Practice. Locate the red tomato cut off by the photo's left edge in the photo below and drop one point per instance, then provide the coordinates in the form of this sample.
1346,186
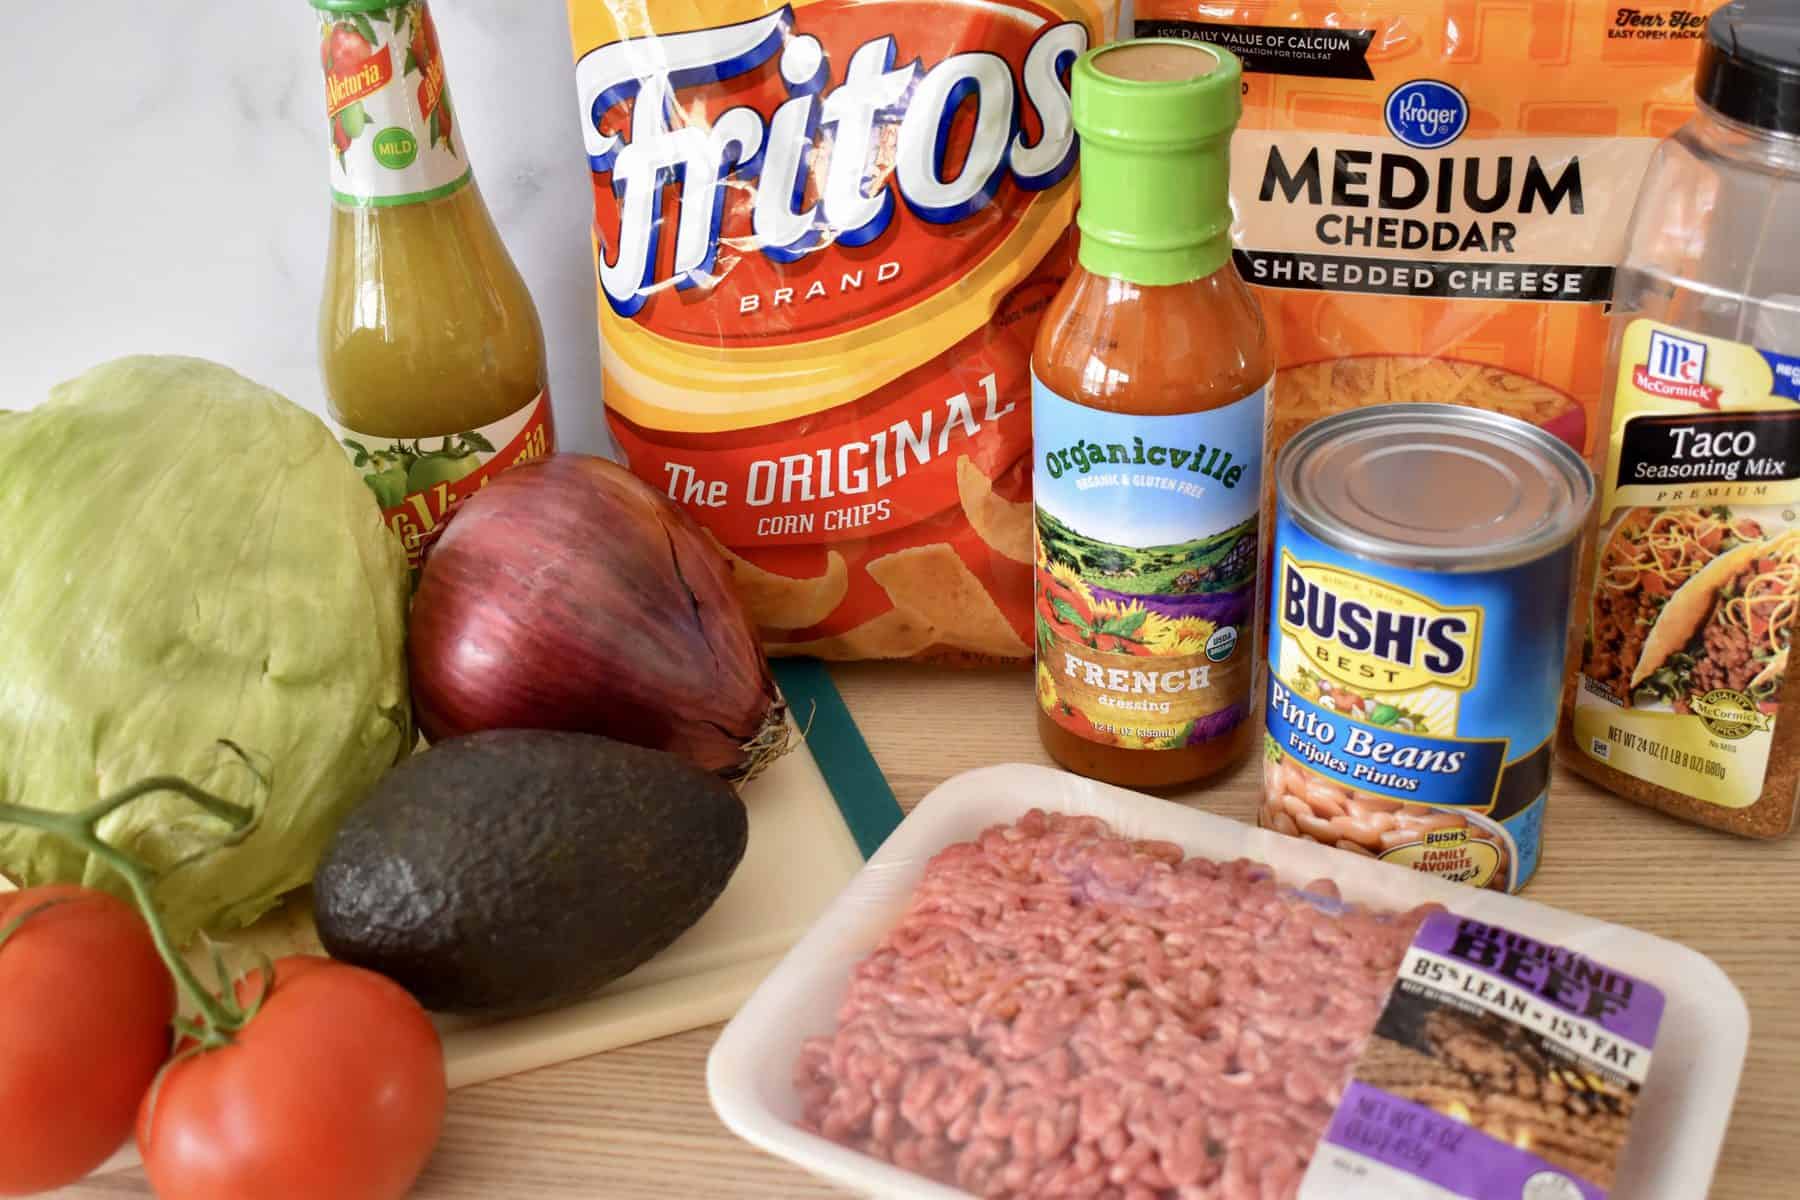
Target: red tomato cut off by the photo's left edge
85,1010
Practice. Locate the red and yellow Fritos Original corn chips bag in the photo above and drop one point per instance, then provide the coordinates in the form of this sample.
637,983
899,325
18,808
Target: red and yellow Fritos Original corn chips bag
825,235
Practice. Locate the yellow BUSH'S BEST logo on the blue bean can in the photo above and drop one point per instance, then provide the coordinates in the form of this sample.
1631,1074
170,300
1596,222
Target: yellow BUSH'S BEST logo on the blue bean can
1374,636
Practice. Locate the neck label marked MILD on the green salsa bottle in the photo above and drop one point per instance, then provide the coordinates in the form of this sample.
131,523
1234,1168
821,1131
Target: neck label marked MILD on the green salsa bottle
393,132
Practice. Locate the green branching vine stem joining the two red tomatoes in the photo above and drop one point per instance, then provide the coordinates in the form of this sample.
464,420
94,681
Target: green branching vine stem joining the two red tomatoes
220,1017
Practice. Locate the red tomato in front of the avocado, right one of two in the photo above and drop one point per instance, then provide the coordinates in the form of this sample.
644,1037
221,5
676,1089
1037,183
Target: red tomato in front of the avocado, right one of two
334,1089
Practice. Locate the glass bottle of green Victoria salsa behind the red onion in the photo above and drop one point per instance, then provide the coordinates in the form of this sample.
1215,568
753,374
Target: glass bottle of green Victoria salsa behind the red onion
429,345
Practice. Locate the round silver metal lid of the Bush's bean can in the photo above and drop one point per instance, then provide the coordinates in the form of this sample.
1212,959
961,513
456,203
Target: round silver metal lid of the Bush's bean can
1435,487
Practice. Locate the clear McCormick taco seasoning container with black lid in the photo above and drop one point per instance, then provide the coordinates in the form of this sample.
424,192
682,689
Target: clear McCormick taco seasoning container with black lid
1678,677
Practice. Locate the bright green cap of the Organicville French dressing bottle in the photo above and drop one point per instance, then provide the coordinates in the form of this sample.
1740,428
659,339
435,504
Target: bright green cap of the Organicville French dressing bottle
1156,120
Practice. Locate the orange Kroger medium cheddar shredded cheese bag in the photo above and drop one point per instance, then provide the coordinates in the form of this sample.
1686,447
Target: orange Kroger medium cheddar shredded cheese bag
1432,195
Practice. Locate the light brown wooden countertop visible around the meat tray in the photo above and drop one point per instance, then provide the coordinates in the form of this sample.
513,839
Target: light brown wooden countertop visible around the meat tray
636,1124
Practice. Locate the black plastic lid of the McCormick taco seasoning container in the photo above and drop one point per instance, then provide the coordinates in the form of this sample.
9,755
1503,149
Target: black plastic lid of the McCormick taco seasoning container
1750,66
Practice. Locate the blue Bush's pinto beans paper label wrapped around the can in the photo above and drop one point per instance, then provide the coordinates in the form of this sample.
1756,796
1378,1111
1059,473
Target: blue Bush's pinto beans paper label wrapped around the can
1410,712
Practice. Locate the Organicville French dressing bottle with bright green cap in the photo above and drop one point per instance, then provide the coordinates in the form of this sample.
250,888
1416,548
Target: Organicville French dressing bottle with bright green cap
1149,390
